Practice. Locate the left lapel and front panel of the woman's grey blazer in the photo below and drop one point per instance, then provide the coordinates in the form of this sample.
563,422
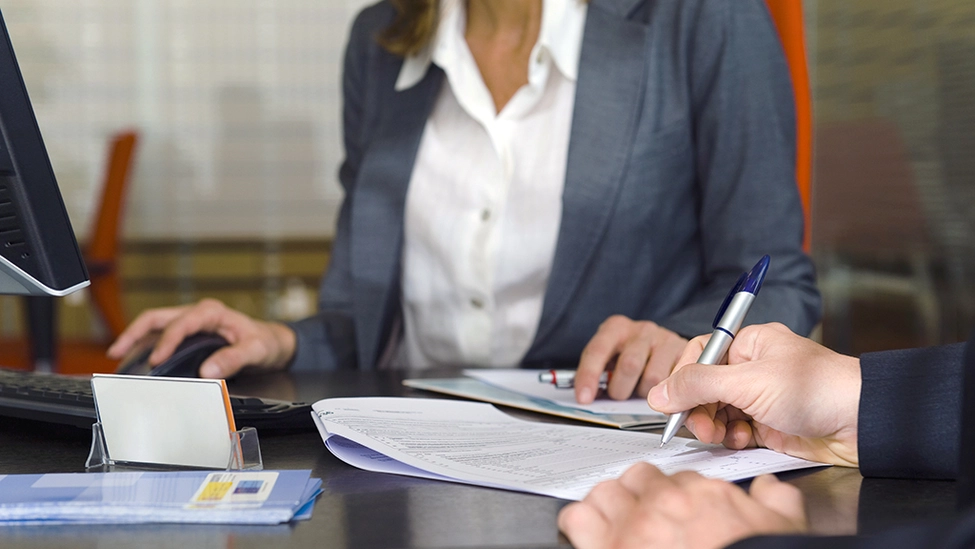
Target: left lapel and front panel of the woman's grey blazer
378,204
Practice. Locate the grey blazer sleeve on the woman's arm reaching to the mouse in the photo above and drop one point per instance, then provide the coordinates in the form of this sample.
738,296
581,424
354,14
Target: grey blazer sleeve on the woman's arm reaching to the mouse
327,339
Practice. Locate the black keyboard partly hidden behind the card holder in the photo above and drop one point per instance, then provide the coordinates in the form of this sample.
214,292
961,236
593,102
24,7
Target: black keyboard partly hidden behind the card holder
68,400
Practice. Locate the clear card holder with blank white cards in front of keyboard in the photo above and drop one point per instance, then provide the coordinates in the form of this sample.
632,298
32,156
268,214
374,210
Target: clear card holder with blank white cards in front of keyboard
167,423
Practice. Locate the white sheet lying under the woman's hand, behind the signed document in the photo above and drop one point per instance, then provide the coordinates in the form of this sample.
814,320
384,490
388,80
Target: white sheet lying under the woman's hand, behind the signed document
526,382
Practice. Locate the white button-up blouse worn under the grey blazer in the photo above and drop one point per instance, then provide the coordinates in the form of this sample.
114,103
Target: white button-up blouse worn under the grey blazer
484,202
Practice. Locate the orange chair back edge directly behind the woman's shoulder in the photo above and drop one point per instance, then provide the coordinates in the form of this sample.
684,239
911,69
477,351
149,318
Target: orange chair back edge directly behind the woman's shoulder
787,15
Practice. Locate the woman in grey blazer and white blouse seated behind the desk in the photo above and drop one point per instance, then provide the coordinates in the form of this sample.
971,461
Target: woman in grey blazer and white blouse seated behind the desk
658,166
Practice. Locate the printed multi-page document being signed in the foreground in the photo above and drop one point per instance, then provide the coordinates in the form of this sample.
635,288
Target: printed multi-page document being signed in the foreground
476,443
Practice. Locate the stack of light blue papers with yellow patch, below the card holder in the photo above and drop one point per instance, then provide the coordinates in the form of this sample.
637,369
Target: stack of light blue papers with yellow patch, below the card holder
224,497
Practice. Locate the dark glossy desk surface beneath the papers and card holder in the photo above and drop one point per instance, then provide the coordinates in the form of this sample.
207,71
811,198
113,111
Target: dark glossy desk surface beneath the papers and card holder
363,509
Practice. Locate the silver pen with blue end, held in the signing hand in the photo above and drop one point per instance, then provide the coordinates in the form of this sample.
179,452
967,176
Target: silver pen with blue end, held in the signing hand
729,319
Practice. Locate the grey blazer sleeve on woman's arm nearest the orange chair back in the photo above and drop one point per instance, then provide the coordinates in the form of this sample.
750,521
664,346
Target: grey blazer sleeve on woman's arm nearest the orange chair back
744,123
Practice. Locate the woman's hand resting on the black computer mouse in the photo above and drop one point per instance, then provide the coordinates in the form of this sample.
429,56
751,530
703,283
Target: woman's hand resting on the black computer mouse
254,343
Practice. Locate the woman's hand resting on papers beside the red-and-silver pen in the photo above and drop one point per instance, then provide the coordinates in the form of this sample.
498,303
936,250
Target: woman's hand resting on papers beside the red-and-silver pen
644,353
